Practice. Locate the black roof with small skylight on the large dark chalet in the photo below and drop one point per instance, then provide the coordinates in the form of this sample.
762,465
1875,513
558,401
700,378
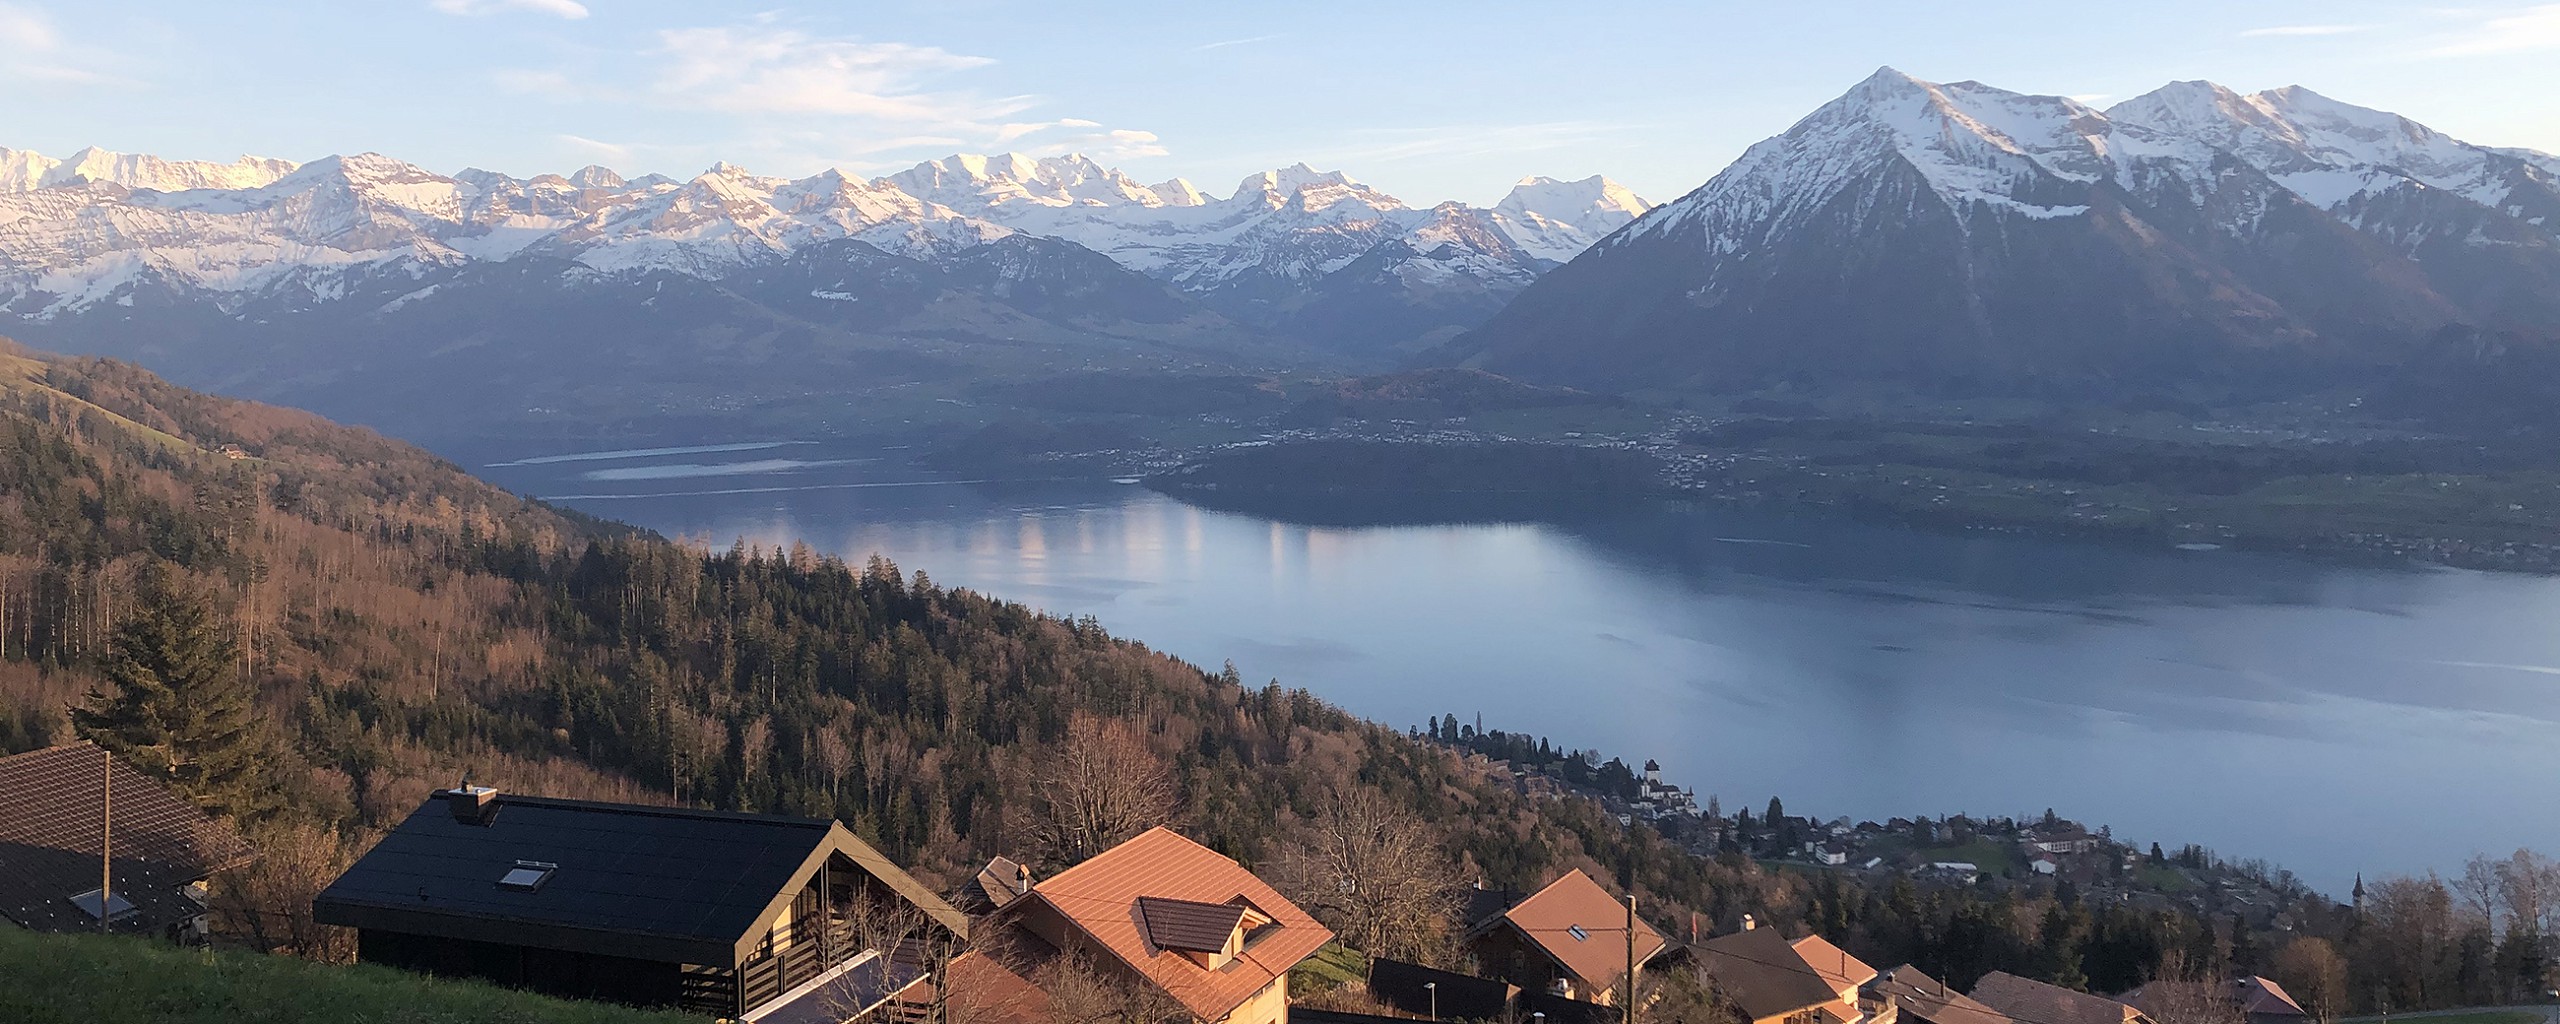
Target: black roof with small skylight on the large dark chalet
626,874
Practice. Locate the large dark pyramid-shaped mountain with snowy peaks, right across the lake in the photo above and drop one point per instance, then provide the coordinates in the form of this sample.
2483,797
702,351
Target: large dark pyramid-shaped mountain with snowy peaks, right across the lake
1972,237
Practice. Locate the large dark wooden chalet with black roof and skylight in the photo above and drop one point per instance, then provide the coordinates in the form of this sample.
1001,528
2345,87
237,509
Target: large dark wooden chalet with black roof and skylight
756,918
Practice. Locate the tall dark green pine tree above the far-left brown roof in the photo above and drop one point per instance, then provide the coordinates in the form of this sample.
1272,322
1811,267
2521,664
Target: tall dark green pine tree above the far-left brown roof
180,713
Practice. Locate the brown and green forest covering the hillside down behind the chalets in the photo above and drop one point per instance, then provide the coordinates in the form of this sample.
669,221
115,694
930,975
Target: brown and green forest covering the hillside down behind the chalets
308,628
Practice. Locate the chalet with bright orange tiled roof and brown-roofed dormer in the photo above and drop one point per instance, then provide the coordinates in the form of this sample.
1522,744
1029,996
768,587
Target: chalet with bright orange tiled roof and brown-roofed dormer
1169,915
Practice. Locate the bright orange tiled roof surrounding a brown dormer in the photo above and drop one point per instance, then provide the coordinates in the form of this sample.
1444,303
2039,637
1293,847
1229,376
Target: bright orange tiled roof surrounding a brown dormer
1102,902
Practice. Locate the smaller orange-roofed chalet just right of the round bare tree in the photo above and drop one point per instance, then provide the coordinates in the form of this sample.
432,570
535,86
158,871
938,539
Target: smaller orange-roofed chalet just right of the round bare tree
1565,941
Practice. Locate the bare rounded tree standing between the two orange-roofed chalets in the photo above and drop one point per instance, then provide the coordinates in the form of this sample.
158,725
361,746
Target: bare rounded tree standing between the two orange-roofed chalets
1373,874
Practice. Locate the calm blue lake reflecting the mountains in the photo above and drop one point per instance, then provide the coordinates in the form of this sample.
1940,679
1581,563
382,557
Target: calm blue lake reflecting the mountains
2326,718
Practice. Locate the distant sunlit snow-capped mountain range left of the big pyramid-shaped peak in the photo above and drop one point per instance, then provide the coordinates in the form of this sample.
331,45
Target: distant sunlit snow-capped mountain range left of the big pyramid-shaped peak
91,229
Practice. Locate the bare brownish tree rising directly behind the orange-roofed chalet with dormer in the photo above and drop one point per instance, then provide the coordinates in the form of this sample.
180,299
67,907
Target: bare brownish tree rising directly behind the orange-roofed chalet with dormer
1100,790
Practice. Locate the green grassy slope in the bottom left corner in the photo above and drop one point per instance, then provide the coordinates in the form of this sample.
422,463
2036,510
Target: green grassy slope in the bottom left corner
96,979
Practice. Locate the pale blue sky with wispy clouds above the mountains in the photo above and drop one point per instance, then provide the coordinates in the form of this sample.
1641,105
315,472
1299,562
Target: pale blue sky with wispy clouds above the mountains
1432,101
